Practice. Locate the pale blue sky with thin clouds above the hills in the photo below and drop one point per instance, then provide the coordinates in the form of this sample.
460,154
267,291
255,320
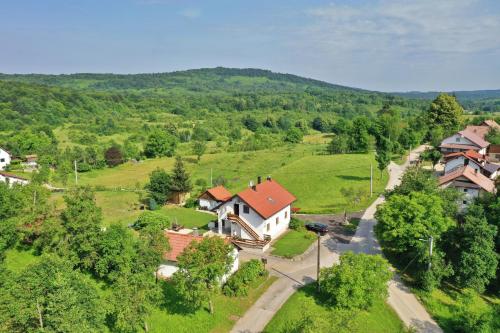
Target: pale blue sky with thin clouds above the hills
384,45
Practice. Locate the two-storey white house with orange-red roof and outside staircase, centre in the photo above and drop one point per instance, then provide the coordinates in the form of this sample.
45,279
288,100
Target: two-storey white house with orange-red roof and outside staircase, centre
256,215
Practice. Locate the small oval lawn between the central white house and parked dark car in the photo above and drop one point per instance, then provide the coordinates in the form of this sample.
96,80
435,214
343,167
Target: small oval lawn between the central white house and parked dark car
293,243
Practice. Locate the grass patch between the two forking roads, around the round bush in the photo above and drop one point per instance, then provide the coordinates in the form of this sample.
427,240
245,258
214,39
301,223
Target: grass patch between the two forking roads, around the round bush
378,319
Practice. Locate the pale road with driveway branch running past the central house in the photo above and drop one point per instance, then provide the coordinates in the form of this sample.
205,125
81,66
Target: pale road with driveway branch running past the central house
293,275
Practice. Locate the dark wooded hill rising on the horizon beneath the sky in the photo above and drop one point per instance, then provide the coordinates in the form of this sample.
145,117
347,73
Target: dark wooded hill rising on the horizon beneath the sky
220,79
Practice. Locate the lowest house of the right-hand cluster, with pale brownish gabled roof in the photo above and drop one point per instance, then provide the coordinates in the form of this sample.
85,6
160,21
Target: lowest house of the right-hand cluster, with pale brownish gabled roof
468,181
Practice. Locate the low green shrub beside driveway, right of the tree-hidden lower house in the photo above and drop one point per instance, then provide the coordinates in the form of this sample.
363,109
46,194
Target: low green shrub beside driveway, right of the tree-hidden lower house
238,283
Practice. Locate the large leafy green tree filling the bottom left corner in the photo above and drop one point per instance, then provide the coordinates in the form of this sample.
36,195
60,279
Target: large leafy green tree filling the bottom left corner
49,297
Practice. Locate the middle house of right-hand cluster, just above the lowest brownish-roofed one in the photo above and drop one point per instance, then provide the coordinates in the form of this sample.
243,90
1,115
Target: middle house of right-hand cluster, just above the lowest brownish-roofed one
473,160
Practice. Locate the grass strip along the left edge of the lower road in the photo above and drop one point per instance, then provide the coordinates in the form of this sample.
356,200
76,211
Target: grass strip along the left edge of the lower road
174,318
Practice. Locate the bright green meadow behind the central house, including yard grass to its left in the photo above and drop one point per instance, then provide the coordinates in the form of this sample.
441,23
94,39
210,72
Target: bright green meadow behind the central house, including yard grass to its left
314,178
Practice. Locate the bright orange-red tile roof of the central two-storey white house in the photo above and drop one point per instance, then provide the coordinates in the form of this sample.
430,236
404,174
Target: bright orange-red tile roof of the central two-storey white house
268,198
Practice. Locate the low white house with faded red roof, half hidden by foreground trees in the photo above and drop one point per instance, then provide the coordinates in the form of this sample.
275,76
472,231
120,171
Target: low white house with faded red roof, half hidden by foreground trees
178,241
